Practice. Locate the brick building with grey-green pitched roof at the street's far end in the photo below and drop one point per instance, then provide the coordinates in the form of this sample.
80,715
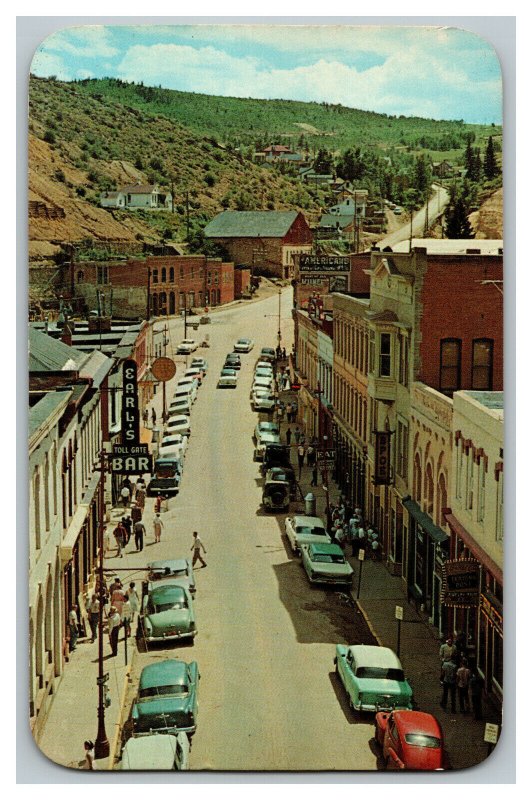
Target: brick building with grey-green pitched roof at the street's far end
266,241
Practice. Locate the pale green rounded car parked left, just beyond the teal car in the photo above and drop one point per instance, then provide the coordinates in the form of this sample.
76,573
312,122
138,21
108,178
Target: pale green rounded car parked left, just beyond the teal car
167,613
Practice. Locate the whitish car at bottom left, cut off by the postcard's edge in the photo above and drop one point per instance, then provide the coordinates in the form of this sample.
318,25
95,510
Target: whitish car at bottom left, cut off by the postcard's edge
160,751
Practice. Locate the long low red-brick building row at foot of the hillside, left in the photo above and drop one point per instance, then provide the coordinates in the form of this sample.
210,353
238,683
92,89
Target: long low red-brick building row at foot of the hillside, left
172,281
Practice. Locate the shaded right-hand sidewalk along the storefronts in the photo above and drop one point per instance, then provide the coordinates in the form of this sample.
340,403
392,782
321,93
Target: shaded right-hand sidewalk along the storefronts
380,593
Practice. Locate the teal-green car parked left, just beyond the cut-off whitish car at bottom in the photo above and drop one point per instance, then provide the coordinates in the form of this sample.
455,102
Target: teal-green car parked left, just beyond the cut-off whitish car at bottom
167,698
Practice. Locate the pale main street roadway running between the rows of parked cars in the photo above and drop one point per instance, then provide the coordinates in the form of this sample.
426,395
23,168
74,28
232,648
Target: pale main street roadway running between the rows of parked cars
268,696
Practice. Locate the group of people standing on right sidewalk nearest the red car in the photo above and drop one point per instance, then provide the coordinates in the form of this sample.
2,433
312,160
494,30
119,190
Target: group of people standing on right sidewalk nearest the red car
457,677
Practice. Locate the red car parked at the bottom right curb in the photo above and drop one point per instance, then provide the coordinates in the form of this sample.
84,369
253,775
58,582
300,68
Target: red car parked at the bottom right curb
410,740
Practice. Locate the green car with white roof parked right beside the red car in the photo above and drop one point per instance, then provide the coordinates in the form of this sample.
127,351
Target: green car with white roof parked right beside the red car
372,677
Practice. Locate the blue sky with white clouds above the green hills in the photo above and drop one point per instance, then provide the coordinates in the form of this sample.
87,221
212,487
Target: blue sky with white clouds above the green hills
440,73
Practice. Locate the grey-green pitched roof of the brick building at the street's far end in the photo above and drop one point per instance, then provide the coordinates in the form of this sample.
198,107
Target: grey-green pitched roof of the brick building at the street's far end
243,224
